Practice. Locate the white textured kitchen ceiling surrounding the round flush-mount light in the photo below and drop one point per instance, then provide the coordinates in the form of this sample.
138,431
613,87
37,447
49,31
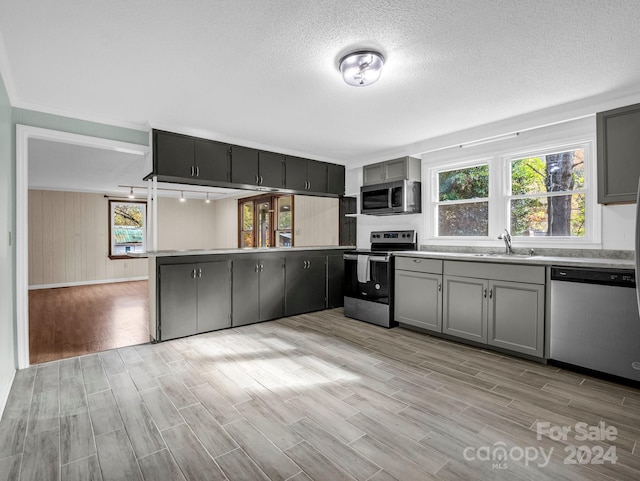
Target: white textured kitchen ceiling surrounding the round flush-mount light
264,73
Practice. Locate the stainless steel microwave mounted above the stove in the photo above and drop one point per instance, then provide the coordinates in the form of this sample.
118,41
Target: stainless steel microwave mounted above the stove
400,197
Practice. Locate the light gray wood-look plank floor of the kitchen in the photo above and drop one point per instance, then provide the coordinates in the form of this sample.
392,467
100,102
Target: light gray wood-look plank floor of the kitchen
317,397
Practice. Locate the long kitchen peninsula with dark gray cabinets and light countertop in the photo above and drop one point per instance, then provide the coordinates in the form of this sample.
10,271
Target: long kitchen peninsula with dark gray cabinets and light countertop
196,291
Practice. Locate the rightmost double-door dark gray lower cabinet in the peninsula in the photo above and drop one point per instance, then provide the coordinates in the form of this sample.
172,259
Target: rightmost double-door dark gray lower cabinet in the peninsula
306,284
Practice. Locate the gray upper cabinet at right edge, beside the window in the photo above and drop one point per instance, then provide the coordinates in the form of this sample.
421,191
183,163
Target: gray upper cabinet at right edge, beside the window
618,154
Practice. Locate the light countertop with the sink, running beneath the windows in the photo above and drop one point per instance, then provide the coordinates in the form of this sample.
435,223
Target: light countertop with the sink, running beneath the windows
524,259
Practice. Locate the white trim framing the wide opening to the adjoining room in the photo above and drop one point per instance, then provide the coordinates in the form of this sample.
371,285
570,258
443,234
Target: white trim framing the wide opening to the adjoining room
23,134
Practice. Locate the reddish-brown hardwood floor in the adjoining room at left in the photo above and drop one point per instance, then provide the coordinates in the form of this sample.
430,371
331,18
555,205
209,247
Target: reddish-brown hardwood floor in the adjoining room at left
72,321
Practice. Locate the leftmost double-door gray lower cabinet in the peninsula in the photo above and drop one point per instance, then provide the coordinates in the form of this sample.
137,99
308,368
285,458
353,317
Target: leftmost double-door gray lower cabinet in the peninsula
194,298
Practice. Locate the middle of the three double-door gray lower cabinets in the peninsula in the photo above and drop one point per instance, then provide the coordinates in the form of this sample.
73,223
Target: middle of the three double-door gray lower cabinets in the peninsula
258,290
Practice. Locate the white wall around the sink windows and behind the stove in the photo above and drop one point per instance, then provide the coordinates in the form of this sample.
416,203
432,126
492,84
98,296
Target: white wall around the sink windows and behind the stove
617,222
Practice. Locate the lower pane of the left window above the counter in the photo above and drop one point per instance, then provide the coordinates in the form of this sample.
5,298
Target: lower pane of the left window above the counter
463,219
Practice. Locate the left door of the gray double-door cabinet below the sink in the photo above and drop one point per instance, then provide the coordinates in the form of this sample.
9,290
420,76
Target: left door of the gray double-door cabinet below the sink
465,308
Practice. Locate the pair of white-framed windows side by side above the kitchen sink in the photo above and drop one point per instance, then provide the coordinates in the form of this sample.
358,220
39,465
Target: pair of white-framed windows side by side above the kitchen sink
546,194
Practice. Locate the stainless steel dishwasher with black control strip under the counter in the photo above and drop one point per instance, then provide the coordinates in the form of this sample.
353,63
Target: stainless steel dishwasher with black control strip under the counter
594,320
